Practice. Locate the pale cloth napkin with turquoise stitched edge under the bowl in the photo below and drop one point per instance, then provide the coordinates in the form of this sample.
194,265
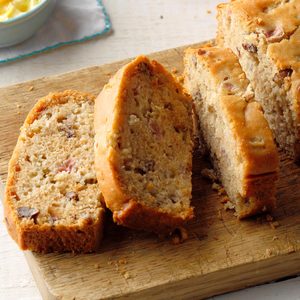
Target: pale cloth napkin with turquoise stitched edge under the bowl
72,21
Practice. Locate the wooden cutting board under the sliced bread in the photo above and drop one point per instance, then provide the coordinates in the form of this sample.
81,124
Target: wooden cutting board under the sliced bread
222,254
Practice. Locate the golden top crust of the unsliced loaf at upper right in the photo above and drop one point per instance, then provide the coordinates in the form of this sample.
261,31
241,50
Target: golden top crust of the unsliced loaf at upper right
276,22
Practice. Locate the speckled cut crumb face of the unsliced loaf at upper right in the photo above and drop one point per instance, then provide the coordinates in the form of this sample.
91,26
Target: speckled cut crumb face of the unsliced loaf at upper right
271,83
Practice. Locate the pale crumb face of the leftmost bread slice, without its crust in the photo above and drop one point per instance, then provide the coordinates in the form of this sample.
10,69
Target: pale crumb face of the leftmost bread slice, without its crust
56,164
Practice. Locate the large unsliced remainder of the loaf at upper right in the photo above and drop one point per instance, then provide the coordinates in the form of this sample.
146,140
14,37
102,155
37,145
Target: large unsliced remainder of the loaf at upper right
265,35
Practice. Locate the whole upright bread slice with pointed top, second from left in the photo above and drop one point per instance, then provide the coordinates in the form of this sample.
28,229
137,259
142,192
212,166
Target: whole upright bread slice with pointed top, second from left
143,147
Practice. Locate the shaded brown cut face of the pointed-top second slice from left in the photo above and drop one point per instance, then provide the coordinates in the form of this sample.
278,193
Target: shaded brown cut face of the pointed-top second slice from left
156,142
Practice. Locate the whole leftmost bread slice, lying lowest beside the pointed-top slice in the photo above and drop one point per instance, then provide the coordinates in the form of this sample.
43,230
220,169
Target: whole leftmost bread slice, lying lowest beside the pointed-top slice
52,200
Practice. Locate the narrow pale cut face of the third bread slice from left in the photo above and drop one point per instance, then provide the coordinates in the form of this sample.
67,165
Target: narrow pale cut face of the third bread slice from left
218,135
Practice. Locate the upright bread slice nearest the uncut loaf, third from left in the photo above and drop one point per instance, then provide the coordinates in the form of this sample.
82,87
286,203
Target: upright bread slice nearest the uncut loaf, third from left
234,128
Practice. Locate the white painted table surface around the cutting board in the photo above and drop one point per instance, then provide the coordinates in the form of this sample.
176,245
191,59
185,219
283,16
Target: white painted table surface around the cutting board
137,28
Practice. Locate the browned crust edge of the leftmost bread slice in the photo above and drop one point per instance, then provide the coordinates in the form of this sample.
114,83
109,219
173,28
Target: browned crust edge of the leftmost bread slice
45,238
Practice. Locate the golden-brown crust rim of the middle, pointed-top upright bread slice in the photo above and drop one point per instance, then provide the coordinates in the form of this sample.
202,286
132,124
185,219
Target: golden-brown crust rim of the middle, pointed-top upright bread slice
126,211
